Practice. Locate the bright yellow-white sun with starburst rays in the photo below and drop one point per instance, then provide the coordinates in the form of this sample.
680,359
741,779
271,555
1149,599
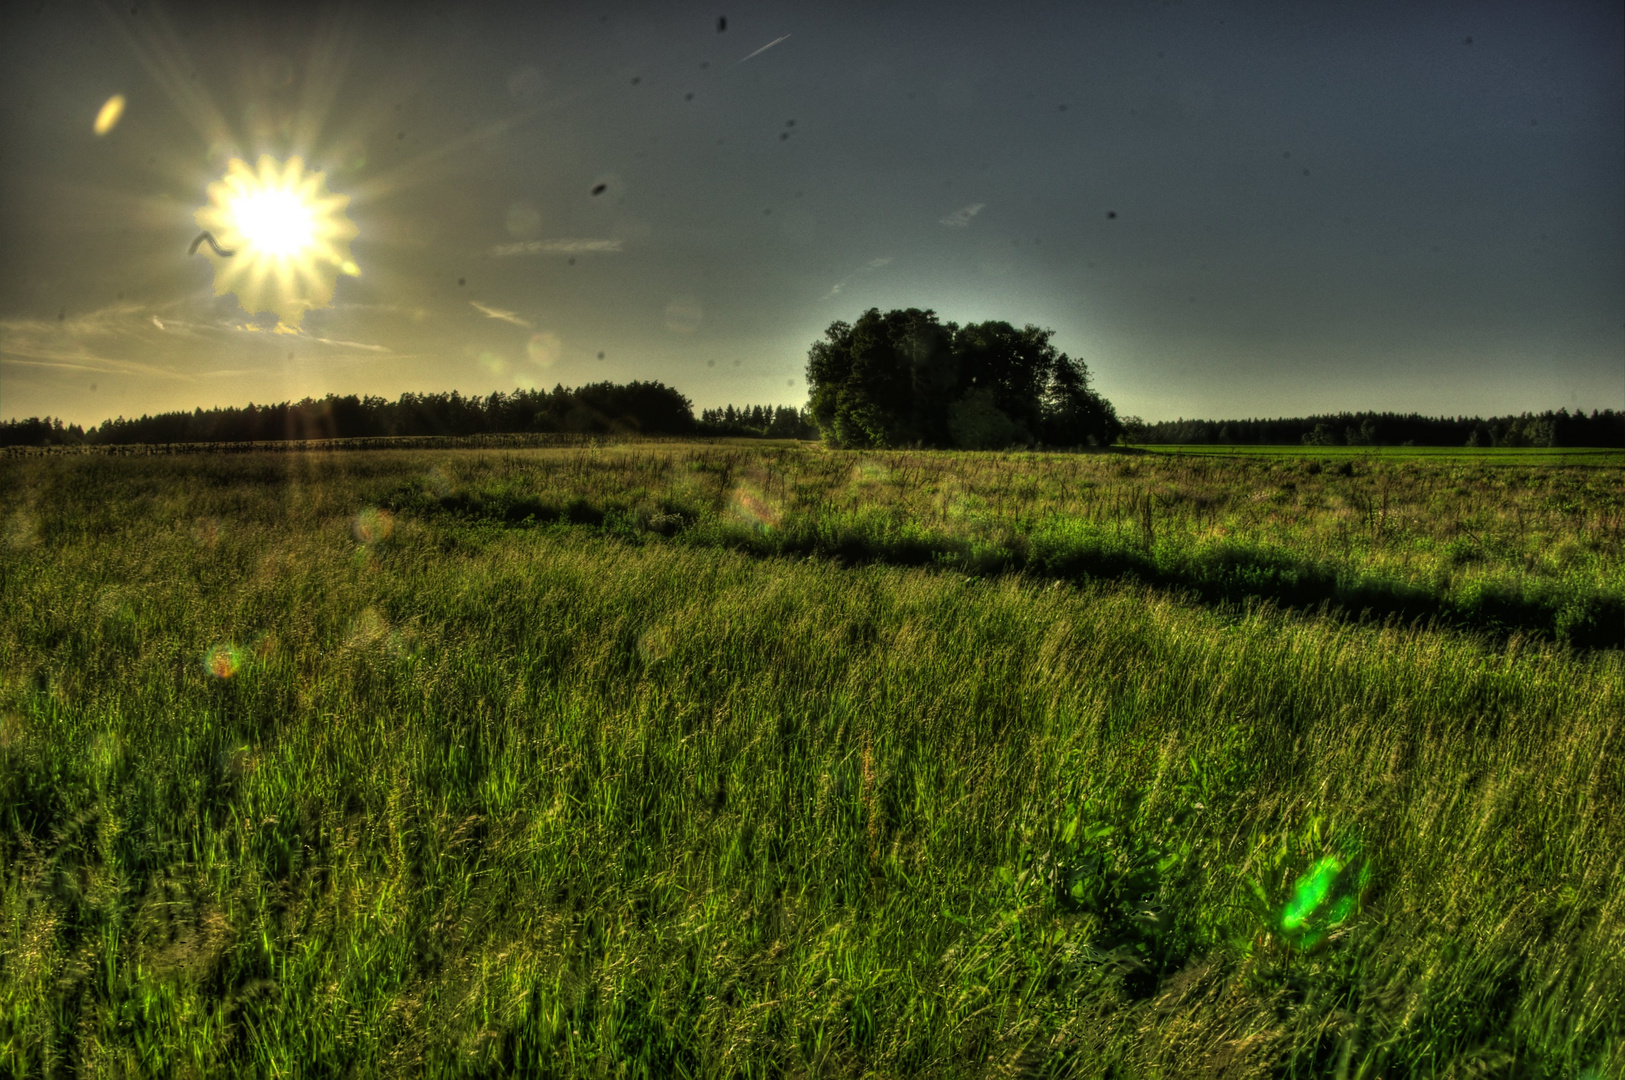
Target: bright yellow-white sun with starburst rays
290,235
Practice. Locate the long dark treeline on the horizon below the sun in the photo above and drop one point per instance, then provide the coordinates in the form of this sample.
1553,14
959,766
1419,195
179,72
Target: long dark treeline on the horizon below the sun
600,408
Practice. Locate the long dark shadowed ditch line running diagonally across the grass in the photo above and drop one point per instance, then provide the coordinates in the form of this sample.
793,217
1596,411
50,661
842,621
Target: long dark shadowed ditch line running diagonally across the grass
1216,576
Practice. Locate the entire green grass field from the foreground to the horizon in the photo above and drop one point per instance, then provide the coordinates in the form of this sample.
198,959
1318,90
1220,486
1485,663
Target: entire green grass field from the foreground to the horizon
773,761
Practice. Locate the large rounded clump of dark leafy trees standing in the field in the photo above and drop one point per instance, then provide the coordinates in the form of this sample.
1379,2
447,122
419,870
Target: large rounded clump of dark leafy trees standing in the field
904,379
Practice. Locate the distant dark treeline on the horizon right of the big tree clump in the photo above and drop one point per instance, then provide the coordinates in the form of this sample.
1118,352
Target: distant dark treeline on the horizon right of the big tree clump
1392,430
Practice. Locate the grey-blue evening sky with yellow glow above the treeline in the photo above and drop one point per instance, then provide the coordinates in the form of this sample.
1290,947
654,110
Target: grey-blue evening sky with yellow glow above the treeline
1224,209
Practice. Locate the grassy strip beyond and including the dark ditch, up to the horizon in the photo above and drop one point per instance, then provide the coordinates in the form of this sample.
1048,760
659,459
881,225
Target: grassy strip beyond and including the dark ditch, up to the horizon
1494,548
